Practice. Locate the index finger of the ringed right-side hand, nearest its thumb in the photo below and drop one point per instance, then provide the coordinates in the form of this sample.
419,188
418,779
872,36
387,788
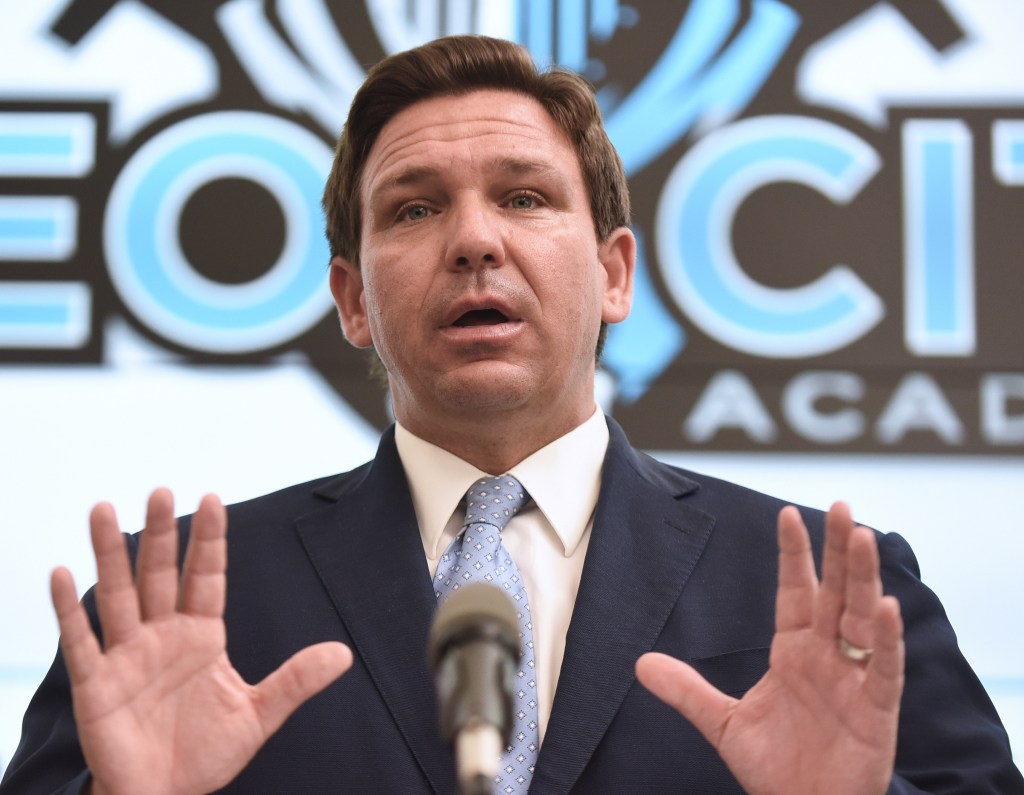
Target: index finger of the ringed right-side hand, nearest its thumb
798,582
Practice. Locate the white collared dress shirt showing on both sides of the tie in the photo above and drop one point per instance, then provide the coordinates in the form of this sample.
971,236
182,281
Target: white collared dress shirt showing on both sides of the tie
547,539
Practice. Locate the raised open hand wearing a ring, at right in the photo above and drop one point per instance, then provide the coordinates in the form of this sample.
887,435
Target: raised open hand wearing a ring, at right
824,719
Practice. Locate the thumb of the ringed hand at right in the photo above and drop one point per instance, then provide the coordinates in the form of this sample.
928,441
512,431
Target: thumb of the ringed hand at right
679,686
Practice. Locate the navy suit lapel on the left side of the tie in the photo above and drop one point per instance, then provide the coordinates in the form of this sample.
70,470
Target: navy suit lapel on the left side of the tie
368,553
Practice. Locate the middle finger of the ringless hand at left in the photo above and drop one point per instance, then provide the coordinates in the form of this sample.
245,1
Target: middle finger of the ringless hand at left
157,567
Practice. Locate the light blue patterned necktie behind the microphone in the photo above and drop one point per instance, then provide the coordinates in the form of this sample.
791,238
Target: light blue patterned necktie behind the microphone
478,556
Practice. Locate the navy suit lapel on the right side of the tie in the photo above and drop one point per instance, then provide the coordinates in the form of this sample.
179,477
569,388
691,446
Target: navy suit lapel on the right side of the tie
644,548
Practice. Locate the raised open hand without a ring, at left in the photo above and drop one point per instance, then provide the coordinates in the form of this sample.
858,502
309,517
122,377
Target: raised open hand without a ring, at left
160,708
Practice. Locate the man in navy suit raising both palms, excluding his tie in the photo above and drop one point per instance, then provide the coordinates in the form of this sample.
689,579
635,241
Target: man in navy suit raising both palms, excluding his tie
479,224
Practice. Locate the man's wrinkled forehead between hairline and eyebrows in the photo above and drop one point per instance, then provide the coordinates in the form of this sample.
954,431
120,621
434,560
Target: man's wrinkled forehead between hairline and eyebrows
477,131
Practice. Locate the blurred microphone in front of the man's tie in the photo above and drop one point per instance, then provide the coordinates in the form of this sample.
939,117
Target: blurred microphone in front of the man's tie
475,652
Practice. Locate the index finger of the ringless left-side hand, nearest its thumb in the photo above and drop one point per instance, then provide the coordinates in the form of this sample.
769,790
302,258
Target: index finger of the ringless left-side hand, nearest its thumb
204,574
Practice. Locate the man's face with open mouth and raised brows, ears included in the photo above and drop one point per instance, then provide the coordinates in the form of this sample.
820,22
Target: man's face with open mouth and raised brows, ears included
482,282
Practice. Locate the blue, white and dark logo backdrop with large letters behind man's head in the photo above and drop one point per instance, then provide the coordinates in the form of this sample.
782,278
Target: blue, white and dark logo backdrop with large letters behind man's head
825,200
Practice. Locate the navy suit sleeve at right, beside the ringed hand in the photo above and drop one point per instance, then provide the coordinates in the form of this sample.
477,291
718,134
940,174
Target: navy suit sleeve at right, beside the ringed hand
951,739
